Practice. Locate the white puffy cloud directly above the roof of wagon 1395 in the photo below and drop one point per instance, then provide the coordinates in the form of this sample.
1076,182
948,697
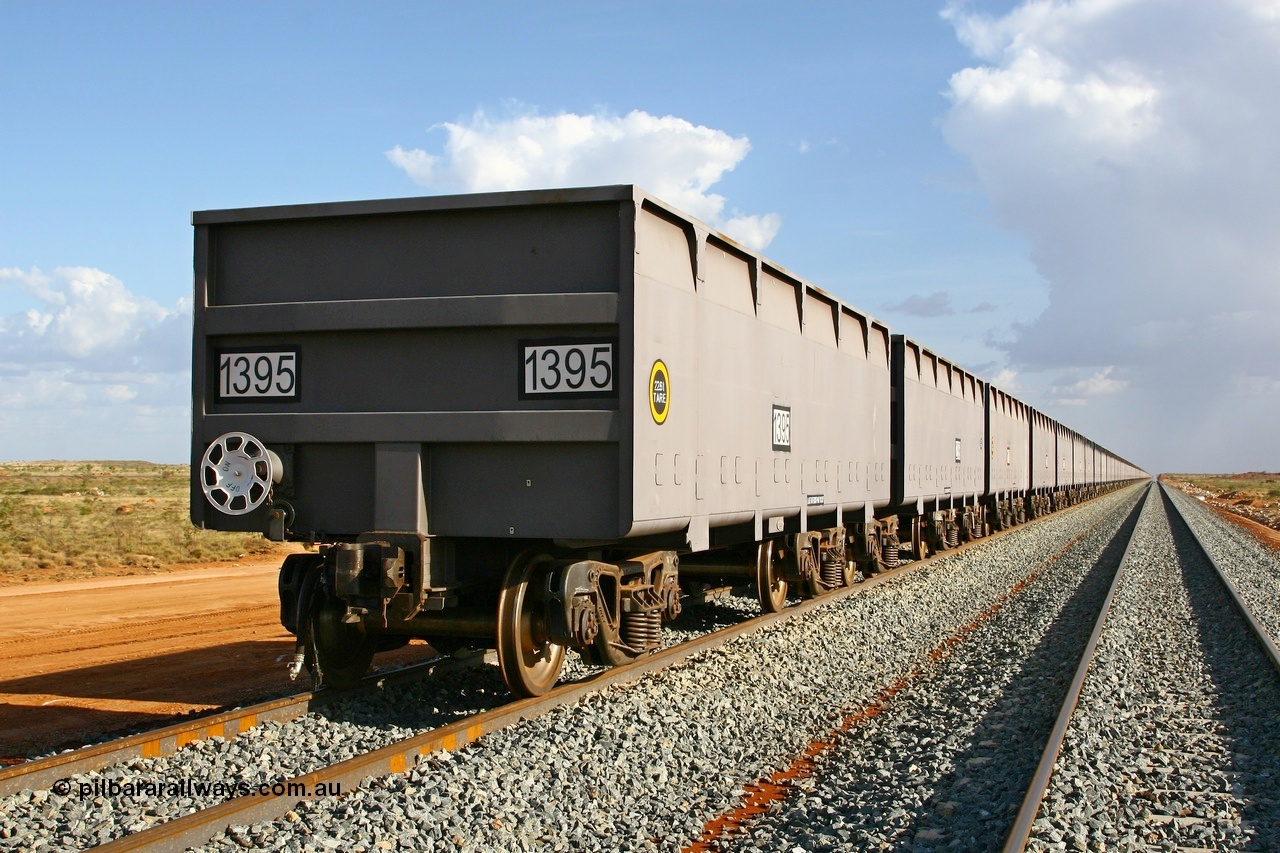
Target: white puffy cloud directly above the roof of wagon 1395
673,158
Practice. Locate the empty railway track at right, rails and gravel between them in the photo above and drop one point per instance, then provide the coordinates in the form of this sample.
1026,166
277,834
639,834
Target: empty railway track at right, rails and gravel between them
1199,773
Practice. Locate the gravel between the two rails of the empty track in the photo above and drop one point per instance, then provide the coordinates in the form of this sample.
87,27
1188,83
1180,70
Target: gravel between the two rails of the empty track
1176,742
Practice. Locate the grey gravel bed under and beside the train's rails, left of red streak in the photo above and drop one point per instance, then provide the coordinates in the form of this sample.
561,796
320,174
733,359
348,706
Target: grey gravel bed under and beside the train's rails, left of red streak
636,768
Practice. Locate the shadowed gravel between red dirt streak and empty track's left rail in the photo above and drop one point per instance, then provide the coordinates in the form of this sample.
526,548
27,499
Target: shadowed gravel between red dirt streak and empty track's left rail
949,761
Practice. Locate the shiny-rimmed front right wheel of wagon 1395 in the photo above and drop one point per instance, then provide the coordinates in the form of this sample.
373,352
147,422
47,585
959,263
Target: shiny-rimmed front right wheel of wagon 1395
529,662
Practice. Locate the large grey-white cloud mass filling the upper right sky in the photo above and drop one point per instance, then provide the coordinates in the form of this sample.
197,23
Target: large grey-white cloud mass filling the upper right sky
1133,144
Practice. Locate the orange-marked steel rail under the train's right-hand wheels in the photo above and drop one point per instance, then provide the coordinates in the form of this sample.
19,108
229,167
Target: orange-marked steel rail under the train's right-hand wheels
200,827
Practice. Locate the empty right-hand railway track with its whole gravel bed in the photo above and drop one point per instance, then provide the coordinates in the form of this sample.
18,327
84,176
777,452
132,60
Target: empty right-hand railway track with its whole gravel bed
1173,741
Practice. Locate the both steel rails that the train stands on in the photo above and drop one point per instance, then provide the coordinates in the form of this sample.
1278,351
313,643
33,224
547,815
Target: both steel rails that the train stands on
277,799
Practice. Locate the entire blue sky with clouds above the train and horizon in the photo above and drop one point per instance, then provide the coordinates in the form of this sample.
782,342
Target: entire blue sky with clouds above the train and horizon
1072,198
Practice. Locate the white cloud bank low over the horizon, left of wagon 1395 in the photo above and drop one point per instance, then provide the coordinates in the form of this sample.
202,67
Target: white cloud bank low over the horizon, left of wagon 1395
84,362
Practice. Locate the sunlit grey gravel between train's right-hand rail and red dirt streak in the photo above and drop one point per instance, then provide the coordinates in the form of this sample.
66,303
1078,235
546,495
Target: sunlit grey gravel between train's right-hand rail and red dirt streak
646,767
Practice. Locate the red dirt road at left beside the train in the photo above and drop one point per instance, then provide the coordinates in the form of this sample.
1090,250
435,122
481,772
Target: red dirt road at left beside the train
81,660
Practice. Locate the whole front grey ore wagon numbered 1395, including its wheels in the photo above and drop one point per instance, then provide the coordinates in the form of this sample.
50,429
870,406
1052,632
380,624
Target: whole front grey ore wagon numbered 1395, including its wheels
510,417
